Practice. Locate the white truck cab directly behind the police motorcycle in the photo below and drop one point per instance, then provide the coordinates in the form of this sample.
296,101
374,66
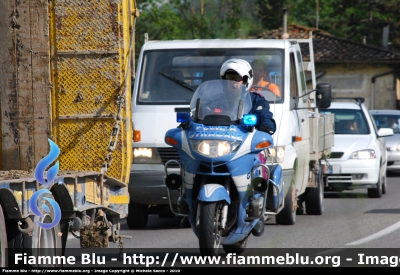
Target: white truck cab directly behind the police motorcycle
167,75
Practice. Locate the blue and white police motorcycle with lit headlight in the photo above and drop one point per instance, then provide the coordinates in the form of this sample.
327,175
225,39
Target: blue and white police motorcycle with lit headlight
224,181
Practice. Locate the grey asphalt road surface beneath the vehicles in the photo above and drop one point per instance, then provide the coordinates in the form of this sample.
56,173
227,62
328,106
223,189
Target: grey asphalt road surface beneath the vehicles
350,219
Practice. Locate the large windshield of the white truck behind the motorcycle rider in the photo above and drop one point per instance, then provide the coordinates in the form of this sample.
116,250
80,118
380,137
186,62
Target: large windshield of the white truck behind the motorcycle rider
170,77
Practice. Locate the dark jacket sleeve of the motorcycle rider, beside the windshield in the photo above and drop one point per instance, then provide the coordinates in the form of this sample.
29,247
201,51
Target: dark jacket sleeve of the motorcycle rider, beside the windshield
265,120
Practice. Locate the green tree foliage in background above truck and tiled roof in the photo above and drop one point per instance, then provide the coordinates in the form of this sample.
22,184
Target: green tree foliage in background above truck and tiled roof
199,19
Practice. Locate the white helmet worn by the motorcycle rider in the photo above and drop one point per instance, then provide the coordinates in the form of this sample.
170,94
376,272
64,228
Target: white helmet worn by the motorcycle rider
240,66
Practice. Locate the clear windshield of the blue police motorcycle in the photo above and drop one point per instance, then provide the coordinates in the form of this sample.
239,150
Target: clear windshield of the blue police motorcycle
220,102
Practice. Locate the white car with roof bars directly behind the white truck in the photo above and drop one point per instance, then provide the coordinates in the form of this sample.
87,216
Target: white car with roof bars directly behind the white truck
358,158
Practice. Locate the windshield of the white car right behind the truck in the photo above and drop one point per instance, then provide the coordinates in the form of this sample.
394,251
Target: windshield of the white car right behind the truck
349,122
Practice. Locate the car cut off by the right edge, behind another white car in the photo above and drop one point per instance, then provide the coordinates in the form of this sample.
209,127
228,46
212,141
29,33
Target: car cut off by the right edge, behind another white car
390,119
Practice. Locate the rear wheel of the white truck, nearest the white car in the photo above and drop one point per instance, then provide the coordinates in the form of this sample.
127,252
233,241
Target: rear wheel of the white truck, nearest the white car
314,197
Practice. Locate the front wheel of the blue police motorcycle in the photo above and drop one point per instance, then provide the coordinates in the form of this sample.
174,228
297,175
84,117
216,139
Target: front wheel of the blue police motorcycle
209,228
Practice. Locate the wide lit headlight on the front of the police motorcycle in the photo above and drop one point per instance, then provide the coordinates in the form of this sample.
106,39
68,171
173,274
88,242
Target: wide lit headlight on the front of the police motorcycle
214,148
